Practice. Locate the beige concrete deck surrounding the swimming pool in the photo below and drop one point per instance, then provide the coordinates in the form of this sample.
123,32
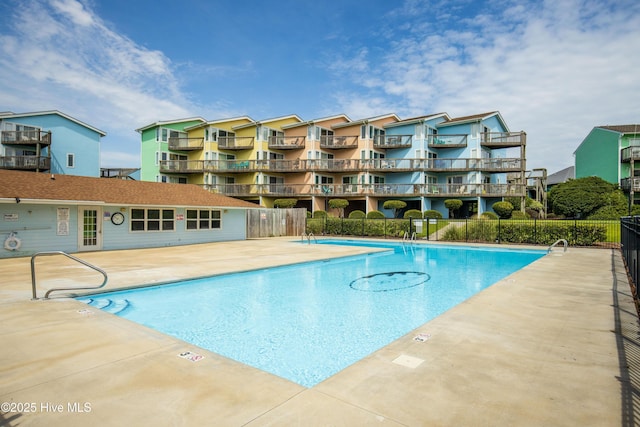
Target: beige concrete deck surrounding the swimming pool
555,343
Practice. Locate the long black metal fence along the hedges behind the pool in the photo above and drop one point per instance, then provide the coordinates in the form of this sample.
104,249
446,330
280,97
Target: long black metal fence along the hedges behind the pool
584,233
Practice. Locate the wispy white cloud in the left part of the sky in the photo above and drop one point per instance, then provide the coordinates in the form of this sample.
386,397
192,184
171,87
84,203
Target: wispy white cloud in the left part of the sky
60,55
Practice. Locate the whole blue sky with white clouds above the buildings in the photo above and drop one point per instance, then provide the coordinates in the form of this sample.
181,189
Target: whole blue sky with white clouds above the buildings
554,69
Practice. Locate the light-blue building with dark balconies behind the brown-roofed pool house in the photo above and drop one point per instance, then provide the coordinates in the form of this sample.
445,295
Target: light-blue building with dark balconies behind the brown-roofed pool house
49,141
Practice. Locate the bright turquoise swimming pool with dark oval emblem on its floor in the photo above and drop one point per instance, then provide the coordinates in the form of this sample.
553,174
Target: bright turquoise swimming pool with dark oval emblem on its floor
308,321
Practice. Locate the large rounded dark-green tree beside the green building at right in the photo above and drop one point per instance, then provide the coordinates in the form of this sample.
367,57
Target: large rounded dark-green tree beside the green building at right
582,197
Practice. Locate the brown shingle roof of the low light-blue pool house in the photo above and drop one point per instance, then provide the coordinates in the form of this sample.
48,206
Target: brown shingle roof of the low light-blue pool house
42,187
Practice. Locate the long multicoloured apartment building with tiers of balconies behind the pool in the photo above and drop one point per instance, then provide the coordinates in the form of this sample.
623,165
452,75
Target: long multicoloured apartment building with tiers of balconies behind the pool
422,160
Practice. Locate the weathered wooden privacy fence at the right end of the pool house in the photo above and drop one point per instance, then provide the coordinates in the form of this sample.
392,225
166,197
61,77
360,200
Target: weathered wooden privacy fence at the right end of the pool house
275,222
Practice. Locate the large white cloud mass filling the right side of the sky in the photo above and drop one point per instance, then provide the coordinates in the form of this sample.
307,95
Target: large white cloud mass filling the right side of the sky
554,69
